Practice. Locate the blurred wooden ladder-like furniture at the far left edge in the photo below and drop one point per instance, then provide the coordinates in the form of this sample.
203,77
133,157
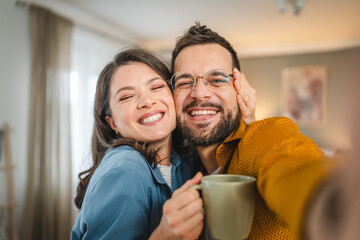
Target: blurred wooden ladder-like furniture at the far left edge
8,168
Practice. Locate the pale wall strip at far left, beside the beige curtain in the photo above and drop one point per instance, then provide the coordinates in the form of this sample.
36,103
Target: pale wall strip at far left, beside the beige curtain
14,92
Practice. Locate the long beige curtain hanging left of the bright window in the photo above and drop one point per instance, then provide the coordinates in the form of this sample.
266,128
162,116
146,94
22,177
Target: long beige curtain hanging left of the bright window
47,213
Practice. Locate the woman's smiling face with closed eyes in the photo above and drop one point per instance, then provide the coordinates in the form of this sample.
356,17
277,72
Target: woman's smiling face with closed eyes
141,104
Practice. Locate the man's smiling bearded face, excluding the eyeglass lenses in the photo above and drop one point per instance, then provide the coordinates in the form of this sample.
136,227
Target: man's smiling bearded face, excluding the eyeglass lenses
206,116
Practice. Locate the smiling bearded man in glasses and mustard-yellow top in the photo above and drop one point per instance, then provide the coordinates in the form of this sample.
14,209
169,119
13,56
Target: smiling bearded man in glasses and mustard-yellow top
288,165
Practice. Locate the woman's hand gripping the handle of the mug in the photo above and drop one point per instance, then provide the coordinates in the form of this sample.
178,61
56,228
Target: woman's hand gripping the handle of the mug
182,214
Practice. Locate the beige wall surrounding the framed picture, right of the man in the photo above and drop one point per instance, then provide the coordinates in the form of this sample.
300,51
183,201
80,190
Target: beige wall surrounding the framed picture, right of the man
264,74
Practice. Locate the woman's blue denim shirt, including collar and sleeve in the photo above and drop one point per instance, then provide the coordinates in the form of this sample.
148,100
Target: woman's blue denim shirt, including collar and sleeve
125,195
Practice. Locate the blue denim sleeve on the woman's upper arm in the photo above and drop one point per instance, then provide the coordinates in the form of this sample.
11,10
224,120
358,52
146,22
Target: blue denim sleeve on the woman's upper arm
116,207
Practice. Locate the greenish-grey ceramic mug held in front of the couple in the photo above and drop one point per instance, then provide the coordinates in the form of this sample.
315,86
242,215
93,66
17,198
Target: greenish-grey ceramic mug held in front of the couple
229,202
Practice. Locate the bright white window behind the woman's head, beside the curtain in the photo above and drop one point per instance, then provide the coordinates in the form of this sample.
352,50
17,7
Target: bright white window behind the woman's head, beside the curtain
90,53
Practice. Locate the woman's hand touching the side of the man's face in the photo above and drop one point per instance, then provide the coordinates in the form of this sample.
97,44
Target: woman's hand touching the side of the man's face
246,97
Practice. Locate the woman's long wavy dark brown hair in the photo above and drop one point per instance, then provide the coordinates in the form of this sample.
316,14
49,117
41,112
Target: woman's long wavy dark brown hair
103,136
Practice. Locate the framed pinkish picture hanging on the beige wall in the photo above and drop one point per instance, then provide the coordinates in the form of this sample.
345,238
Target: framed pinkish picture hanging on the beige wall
304,94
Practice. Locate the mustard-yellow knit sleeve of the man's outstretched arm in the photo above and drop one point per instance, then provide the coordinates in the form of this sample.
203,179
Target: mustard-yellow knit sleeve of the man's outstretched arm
291,168
